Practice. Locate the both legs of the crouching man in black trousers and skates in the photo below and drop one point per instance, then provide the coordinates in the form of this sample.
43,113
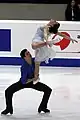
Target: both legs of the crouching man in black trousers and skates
18,86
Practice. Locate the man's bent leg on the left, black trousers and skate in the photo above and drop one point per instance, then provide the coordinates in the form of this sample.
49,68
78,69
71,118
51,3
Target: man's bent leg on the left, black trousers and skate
8,96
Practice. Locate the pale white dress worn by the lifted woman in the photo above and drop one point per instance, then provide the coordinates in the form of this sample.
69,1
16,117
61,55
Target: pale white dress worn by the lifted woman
43,53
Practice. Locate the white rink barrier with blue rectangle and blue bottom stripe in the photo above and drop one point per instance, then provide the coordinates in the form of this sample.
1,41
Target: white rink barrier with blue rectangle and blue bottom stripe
20,34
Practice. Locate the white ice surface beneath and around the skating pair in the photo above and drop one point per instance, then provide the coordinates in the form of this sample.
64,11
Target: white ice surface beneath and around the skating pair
64,102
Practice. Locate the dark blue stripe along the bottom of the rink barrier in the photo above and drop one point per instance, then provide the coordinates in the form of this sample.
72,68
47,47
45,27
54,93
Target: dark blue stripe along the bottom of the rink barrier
57,62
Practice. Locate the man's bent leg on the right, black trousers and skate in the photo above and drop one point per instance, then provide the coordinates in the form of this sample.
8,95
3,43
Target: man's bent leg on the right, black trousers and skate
47,91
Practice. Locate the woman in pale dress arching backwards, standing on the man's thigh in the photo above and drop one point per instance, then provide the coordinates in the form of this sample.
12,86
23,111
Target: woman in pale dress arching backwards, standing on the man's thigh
42,45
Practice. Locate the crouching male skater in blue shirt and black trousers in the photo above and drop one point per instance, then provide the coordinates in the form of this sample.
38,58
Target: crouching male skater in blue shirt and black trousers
26,81
